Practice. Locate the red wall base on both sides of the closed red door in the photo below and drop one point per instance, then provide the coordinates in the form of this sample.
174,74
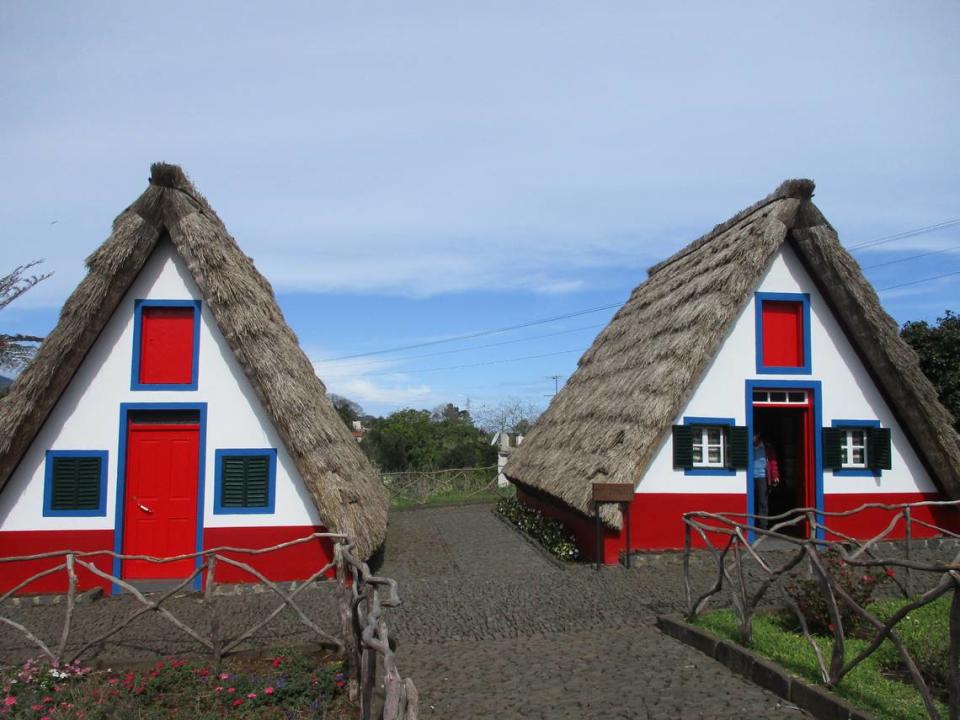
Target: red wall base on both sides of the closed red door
293,563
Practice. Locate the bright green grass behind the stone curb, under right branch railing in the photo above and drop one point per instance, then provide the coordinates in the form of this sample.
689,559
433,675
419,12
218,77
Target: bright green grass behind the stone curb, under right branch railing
867,686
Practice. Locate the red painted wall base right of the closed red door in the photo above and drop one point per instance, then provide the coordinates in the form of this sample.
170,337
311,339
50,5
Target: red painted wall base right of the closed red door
294,563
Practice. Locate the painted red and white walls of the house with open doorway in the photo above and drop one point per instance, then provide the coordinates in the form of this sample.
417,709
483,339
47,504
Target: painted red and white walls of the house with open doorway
826,386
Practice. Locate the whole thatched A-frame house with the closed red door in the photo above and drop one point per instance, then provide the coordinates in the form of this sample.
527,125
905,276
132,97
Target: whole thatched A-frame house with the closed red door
171,410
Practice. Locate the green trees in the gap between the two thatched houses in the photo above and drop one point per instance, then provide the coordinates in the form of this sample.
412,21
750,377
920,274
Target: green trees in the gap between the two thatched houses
420,440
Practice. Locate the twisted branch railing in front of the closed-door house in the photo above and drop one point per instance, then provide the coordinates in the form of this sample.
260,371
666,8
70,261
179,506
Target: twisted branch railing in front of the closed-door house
362,624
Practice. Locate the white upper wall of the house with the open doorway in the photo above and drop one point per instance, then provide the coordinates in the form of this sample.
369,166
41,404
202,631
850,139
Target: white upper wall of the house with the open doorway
847,393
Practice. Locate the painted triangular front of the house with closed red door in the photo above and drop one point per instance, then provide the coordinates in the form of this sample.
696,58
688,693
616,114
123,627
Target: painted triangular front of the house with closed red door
162,445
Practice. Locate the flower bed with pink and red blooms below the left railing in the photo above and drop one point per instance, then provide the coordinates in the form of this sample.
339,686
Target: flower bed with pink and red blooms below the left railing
290,685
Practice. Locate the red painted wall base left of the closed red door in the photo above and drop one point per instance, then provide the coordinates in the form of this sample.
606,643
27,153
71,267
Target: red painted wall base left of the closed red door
15,543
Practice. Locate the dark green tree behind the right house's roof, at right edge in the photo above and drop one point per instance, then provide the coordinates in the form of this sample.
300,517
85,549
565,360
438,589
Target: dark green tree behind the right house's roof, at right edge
939,351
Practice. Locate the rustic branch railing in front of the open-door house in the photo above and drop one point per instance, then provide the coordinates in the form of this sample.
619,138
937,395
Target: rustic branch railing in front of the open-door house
727,537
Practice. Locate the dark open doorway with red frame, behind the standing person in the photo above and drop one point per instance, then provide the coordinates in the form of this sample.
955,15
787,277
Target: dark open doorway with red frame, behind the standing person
782,418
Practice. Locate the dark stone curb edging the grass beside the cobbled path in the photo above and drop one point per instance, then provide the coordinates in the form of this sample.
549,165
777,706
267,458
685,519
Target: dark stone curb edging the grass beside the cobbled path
816,700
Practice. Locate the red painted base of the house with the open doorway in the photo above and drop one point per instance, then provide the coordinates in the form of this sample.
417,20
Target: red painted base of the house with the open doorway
656,519
